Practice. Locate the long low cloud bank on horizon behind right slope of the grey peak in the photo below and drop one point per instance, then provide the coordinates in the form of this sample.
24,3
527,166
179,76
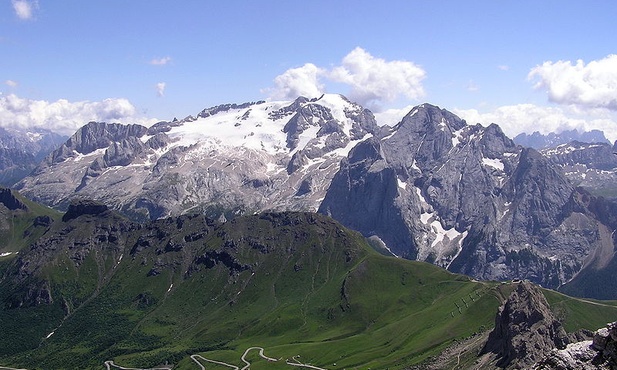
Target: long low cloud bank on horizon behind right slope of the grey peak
528,118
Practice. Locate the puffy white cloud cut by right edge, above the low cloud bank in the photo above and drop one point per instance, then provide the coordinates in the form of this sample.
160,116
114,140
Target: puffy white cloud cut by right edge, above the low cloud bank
591,85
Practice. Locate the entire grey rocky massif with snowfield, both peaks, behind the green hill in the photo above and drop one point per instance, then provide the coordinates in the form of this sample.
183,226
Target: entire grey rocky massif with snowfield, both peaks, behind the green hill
431,188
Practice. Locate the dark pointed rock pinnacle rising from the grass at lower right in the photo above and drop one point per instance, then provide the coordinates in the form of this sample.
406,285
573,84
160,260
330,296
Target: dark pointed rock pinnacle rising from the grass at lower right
525,329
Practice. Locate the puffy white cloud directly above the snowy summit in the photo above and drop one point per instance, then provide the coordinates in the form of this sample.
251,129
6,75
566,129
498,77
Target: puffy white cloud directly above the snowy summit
372,81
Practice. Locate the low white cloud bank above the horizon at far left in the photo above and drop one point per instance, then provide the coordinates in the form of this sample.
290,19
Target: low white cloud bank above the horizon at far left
63,116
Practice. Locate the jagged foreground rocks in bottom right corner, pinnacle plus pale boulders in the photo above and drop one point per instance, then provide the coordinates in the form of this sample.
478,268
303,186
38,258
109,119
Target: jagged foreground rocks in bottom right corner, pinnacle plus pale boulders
528,335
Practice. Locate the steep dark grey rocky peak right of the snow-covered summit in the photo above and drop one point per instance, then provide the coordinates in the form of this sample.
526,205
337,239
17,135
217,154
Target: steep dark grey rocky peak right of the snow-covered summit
466,198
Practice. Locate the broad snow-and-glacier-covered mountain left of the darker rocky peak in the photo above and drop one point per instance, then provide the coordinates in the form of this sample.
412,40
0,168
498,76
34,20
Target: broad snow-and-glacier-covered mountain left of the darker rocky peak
238,158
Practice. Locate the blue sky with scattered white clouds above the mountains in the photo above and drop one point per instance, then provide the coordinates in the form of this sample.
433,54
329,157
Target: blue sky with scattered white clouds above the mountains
526,65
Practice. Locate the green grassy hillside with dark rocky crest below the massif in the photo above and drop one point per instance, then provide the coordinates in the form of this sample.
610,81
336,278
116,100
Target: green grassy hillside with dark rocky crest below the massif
292,283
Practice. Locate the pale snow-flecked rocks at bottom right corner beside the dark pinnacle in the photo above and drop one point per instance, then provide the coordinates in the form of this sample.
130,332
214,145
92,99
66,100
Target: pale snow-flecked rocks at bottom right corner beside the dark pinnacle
599,353
